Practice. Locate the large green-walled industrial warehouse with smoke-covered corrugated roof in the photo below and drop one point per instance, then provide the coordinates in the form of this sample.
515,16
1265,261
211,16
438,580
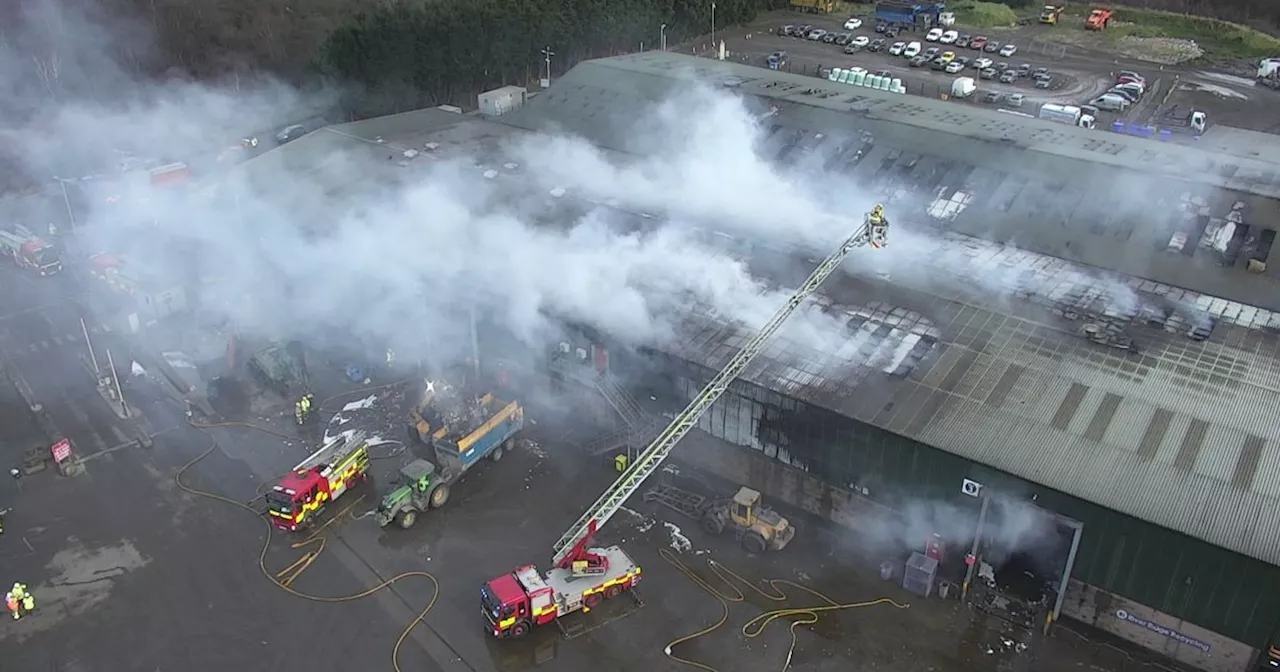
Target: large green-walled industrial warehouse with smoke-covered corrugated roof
972,386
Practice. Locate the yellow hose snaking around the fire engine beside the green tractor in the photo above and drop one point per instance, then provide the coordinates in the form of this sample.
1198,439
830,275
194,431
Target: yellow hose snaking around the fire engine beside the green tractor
314,543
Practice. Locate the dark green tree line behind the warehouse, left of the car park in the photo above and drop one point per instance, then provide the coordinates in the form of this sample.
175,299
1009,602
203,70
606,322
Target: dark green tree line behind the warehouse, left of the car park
412,56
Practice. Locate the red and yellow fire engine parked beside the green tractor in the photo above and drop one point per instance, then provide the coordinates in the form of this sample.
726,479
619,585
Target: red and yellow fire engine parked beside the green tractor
331,472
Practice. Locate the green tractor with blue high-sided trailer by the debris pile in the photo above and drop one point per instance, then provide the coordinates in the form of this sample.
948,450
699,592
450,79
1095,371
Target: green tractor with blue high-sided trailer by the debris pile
461,429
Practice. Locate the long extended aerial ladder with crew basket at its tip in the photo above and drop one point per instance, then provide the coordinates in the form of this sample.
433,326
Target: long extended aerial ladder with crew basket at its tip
872,232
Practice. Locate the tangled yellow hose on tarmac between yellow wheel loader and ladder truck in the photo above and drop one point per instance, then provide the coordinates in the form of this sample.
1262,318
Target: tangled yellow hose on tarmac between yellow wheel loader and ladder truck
772,592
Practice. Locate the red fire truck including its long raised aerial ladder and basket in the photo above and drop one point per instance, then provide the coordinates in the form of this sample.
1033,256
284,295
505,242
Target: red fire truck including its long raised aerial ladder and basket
583,578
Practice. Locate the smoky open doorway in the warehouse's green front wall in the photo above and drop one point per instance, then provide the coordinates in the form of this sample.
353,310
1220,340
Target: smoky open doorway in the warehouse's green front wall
1022,563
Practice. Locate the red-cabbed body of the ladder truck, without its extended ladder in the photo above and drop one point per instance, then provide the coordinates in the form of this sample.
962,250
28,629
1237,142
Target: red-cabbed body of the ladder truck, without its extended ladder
516,602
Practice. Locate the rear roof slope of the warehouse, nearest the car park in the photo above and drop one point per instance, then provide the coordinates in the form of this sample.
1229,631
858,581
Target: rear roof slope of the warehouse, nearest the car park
1107,200
